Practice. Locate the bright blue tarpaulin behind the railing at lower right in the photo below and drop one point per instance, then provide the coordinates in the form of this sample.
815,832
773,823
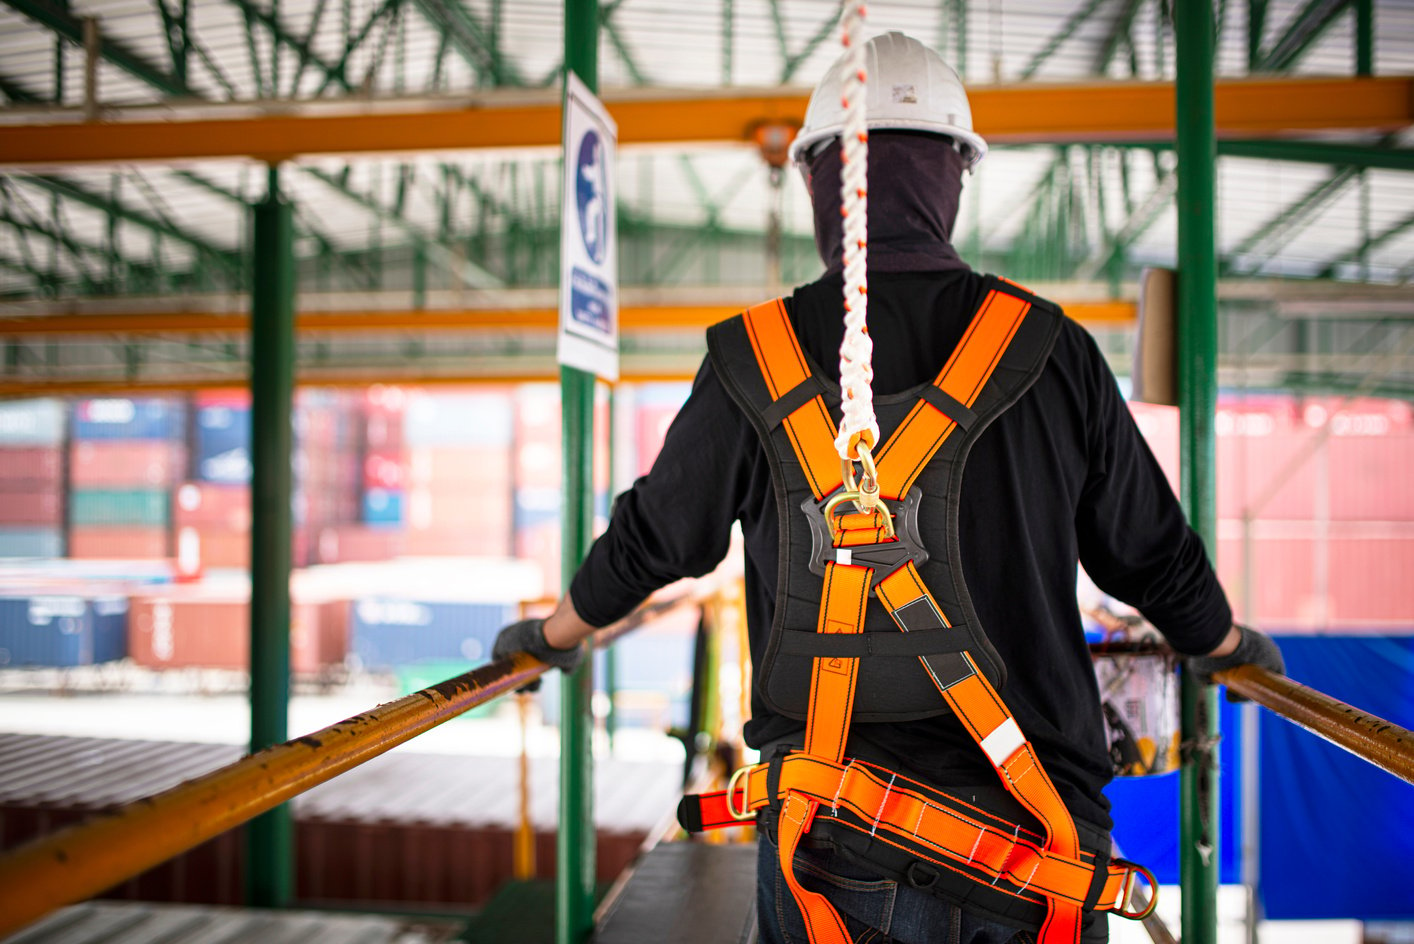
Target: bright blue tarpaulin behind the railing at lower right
1337,833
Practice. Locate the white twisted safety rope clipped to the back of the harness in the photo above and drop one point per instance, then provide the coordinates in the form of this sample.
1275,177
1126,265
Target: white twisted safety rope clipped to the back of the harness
858,350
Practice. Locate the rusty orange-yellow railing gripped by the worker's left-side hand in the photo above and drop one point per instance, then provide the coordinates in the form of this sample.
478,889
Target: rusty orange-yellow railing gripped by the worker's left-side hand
81,861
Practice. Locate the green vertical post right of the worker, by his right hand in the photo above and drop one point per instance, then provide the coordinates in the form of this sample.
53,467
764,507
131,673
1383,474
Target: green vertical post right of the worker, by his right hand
1197,149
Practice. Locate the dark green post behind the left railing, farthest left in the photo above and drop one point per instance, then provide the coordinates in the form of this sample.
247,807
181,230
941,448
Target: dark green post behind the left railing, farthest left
271,837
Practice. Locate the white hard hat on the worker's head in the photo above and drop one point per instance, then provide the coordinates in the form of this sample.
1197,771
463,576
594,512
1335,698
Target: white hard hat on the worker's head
908,87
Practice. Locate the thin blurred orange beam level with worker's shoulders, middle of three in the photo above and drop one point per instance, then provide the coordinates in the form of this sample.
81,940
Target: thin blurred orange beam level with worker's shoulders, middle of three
631,320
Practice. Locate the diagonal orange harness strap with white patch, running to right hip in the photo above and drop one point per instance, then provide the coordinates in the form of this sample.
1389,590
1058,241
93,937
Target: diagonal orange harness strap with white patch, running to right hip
991,724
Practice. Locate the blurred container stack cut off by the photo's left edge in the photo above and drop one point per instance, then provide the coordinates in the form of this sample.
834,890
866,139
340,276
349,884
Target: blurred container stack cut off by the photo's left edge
32,478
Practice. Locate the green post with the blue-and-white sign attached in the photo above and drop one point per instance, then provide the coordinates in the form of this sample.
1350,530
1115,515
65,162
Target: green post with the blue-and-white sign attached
575,843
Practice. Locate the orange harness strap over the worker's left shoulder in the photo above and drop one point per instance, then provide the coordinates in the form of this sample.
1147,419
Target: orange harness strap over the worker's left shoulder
784,367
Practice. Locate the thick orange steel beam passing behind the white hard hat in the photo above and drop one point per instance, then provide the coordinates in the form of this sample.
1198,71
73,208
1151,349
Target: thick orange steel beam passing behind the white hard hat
1082,112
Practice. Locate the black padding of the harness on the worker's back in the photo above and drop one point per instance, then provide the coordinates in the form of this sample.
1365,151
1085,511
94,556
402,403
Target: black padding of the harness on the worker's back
892,685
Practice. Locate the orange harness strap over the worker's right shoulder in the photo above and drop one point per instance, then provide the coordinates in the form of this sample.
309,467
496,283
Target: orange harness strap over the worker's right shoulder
966,372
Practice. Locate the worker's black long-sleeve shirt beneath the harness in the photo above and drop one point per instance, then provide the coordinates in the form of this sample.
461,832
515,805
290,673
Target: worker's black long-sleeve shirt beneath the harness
1063,477
